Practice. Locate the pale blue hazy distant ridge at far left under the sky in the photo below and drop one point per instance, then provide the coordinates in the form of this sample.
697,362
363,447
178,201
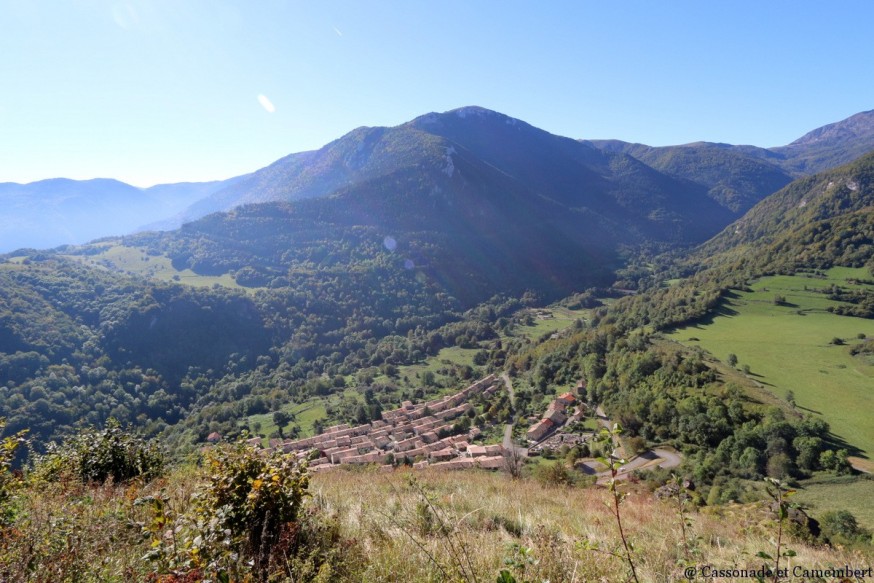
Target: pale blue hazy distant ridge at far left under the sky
59,211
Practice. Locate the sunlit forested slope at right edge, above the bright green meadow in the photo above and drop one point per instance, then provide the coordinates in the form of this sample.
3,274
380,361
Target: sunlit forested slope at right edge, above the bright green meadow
818,222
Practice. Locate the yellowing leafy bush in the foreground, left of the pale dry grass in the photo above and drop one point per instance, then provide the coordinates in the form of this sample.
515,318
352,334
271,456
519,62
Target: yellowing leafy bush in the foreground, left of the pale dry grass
247,522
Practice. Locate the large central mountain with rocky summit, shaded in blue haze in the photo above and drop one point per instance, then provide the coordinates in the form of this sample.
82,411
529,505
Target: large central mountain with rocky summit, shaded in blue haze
478,203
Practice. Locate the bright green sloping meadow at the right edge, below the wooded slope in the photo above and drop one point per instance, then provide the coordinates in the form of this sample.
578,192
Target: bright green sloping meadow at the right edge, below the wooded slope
790,347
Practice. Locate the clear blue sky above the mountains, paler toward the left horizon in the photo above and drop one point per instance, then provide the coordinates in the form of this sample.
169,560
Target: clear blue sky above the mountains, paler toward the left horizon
151,91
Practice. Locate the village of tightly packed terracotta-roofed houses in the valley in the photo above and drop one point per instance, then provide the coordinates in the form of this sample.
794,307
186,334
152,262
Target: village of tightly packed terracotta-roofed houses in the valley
424,435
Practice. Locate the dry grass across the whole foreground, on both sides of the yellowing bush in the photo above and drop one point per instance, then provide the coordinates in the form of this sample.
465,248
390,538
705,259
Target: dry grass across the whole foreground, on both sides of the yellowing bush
418,526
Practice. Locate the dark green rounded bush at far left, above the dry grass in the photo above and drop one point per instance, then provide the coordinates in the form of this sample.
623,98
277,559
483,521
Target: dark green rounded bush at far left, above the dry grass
98,455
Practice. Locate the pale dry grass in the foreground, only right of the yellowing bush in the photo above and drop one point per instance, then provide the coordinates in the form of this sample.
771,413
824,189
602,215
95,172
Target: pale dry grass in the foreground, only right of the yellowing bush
444,526
